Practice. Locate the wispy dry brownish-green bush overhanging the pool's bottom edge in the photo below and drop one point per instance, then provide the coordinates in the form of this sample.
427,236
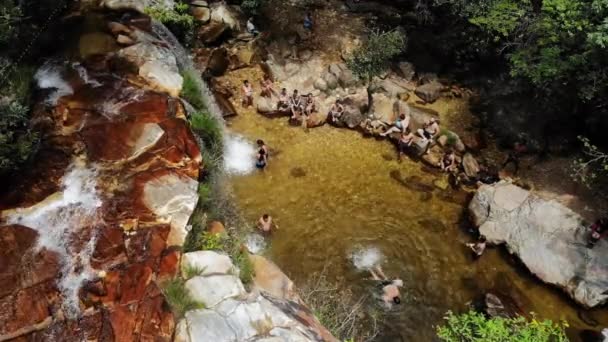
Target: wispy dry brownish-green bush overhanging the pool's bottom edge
343,314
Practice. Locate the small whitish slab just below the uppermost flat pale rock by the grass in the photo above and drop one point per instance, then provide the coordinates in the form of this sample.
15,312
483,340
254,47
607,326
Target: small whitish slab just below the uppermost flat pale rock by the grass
211,290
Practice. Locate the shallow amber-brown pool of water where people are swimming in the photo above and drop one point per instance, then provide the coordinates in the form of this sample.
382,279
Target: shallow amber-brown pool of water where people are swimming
332,194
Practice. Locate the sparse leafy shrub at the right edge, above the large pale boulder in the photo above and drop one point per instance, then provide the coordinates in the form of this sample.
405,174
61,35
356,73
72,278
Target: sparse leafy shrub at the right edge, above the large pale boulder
592,168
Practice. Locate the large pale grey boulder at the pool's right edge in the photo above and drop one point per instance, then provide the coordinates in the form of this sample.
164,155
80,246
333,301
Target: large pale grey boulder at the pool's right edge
549,238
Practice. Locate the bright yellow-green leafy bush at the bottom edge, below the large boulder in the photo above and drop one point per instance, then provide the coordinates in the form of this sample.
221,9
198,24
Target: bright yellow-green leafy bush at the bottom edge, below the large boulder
476,327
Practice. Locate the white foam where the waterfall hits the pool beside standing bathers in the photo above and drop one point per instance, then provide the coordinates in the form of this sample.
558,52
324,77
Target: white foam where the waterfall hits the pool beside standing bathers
239,155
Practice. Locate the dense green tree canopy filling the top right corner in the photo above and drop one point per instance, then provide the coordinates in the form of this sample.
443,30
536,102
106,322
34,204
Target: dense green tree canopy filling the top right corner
554,44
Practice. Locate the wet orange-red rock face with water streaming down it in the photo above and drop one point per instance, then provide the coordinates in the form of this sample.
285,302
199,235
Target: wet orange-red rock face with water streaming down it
146,164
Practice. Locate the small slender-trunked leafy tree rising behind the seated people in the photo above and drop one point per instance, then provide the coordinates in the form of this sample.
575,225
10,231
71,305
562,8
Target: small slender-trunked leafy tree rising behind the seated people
372,58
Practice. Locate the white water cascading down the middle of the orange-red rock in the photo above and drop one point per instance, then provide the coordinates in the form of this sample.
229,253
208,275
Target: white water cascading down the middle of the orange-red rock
59,221
